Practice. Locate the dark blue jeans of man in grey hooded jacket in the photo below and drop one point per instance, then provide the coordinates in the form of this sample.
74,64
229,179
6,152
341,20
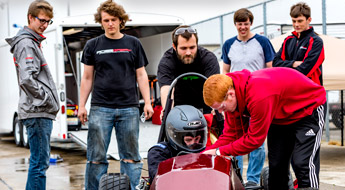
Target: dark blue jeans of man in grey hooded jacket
39,131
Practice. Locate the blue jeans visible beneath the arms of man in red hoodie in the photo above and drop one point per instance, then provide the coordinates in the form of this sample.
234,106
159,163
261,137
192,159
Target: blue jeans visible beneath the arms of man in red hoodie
255,164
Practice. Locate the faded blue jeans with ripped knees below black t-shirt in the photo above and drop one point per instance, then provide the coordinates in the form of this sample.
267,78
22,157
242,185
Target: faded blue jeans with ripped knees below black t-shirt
101,123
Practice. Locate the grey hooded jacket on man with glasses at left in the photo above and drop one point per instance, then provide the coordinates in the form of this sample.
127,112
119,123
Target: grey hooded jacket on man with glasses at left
37,92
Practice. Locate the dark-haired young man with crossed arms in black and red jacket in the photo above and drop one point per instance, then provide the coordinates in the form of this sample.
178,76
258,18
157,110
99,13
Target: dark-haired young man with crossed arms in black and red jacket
303,50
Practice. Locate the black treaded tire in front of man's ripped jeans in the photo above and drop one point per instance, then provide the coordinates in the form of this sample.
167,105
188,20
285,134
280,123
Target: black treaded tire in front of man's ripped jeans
114,181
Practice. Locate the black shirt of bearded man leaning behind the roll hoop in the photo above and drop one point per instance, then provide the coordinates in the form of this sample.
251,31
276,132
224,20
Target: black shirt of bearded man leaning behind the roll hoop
187,91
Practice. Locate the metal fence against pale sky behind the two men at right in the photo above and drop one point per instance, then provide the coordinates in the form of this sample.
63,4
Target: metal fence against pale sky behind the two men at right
269,17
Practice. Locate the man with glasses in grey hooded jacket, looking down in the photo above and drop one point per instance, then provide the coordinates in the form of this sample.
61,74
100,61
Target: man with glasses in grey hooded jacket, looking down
38,102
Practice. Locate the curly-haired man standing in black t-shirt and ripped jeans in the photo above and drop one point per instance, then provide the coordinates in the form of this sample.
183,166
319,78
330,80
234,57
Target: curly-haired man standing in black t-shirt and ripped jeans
113,64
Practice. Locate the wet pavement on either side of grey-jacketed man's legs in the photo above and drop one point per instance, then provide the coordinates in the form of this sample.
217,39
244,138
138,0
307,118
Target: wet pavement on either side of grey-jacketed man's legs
14,163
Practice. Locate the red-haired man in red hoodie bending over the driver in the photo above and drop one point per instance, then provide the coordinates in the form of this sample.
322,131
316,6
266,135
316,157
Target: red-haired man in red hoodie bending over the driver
283,105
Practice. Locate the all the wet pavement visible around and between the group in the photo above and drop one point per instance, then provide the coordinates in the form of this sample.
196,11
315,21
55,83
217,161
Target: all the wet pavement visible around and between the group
69,174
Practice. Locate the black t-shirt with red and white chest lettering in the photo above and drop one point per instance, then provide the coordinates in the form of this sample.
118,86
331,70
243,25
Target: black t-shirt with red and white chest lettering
115,62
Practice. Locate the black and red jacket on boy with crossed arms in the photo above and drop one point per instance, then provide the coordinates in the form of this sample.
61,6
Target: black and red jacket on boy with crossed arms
307,48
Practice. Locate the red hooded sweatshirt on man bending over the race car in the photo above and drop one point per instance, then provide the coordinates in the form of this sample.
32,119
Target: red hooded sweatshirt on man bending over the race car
269,96
